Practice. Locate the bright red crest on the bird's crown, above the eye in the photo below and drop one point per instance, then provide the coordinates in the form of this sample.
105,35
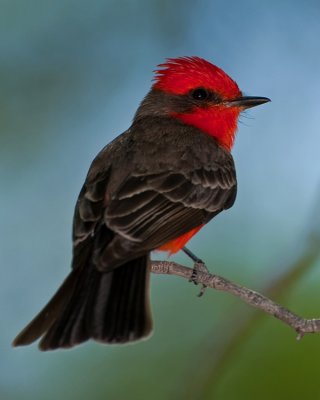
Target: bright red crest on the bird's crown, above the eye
182,74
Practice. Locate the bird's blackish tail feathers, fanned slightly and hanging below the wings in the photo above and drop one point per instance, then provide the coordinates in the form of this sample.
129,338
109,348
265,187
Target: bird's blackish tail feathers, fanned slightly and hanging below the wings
110,307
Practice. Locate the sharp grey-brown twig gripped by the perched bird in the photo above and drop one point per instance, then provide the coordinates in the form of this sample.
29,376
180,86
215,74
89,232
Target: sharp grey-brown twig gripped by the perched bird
255,299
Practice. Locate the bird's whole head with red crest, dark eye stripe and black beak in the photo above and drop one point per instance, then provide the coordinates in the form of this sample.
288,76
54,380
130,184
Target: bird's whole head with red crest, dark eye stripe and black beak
199,94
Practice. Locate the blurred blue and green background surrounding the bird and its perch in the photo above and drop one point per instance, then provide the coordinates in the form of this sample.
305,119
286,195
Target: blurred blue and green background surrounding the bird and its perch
72,73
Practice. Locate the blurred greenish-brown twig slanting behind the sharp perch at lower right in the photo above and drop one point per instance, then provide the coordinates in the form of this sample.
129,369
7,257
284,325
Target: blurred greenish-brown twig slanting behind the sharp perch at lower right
235,330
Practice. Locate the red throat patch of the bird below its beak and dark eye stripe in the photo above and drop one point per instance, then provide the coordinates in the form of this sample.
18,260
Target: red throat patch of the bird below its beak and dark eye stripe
219,122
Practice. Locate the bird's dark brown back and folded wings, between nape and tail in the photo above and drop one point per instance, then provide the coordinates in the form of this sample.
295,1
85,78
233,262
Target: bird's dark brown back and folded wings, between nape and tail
153,192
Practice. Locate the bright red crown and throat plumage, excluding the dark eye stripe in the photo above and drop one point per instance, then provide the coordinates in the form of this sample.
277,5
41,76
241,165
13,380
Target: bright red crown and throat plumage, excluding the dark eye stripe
179,76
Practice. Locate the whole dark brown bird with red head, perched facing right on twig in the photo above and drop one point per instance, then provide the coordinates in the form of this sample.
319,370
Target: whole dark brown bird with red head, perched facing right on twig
153,187
